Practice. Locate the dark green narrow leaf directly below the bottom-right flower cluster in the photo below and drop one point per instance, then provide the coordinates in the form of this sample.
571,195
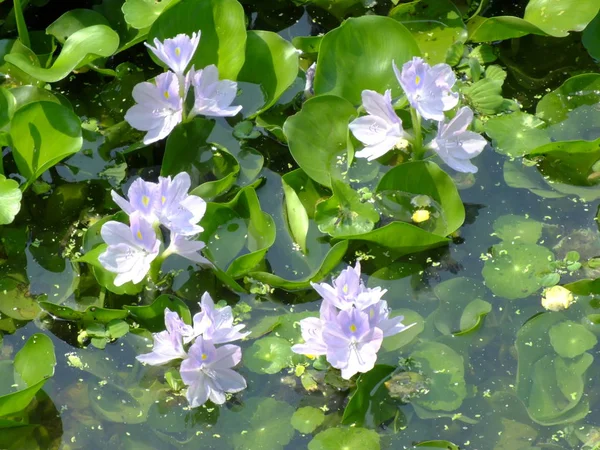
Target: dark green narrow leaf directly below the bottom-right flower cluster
362,399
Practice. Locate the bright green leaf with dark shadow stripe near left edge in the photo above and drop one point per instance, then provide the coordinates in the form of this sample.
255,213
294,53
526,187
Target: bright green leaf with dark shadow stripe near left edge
43,133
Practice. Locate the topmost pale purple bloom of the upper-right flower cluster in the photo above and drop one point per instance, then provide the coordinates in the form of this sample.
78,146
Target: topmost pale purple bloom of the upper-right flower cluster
428,89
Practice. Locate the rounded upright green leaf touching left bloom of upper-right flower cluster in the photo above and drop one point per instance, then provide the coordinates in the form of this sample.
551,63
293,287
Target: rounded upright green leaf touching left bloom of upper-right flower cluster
318,135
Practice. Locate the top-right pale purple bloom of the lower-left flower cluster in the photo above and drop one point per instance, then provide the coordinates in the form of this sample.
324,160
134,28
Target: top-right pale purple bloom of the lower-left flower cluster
215,324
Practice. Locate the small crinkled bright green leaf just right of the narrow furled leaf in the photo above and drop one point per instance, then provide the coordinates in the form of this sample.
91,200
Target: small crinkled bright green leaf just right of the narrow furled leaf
344,214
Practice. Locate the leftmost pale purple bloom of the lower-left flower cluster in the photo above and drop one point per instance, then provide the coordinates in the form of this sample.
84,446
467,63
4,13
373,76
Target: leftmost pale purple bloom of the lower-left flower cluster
168,344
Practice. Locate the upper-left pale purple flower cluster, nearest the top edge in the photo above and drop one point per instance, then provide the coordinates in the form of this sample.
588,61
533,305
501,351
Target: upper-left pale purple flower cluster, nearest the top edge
160,105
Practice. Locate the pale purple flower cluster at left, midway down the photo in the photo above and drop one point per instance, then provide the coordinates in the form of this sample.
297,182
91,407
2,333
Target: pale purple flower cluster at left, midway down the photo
132,249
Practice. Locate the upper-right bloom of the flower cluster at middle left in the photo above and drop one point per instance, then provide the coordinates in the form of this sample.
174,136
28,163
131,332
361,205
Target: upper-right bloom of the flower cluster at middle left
177,210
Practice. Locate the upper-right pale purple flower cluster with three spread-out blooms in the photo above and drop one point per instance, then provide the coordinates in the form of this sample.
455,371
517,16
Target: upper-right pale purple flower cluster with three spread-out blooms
429,93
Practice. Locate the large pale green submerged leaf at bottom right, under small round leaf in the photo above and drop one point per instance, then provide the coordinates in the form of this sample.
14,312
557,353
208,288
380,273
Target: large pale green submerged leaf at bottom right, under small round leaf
550,387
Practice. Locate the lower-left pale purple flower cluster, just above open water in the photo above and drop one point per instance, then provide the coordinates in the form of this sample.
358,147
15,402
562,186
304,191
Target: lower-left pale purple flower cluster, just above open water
206,369
